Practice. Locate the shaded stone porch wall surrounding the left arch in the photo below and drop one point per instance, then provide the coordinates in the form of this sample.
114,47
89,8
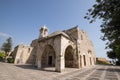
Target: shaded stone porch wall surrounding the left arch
55,44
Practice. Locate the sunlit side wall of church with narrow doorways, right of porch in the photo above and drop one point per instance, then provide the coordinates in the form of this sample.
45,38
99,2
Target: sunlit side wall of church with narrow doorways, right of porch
86,49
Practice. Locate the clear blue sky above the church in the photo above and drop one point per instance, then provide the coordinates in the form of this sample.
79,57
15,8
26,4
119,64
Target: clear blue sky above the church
22,19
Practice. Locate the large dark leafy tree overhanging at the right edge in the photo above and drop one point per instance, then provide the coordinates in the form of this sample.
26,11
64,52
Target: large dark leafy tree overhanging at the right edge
109,12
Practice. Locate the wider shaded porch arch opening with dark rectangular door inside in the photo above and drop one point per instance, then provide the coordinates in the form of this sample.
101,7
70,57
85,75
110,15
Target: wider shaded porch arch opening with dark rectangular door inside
48,57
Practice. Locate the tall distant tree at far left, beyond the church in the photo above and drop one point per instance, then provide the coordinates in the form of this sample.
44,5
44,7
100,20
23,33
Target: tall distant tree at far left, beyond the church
7,46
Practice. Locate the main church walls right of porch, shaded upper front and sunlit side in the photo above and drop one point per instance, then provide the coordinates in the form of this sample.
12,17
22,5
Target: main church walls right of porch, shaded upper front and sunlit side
84,47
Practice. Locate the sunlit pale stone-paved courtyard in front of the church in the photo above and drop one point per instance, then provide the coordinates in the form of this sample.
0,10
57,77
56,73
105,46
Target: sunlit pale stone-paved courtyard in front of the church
28,72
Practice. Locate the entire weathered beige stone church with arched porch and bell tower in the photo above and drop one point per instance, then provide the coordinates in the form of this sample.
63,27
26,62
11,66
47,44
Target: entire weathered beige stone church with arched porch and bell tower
70,48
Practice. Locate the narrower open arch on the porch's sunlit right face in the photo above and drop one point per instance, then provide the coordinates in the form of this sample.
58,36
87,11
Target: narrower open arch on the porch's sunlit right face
69,57
